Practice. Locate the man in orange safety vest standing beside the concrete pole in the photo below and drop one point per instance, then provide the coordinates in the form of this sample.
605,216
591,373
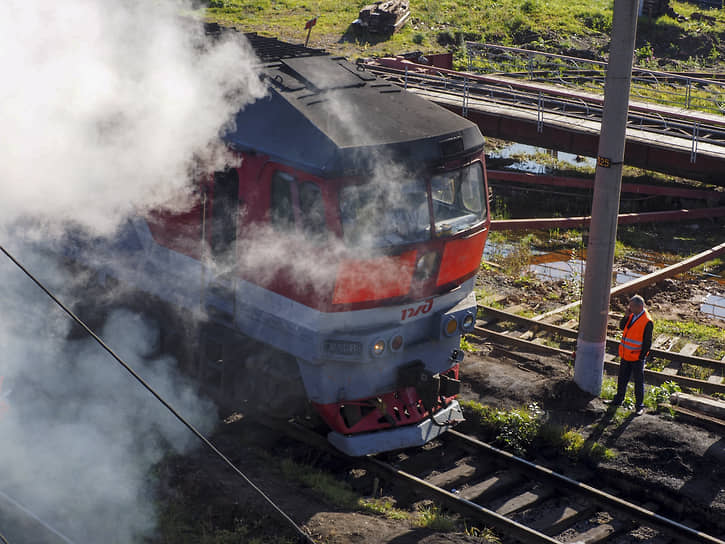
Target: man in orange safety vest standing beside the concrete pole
634,348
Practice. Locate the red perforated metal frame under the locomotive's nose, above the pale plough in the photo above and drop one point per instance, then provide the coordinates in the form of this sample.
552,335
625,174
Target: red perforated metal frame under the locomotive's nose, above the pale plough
401,407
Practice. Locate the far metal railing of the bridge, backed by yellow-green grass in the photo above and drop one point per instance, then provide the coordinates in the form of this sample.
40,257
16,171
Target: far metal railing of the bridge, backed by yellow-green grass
668,88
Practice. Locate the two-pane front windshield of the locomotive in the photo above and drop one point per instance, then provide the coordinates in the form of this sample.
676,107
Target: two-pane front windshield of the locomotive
375,216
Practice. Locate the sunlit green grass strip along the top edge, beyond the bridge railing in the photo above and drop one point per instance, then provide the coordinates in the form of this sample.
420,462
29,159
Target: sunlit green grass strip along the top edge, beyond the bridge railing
434,26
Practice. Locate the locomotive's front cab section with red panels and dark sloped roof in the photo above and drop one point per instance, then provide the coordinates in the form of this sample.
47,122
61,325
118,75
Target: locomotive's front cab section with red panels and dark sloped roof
376,201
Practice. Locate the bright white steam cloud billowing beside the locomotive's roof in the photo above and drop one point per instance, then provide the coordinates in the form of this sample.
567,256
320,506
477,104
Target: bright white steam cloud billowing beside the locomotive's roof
105,103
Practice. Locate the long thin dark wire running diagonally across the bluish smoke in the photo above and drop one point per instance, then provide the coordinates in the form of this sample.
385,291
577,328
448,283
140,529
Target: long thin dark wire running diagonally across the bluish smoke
163,401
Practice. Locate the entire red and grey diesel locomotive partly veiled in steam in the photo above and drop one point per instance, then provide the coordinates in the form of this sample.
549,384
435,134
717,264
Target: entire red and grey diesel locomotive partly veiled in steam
344,246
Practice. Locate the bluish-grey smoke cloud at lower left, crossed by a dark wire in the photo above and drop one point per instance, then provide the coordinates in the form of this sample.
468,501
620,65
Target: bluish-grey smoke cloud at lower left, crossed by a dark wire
78,434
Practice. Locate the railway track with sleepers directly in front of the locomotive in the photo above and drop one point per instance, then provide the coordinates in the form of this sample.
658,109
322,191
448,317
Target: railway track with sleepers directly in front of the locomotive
519,500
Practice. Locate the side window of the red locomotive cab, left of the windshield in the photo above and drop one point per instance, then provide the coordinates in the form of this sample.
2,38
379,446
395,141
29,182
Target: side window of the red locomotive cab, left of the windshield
297,206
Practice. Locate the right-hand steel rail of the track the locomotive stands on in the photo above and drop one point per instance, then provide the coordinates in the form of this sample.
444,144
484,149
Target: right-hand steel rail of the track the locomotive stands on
601,497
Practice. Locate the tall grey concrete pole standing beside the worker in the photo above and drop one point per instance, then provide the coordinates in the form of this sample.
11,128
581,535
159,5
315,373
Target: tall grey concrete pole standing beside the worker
591,344
